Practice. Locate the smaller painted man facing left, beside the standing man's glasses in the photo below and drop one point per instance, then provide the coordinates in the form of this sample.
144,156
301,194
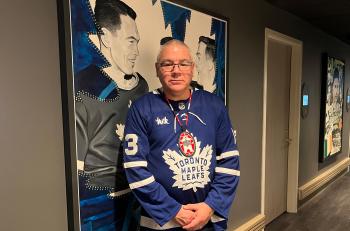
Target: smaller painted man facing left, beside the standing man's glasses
205,63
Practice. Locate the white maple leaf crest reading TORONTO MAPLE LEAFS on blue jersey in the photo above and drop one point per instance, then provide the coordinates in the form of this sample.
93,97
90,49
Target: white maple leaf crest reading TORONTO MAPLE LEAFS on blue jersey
190,172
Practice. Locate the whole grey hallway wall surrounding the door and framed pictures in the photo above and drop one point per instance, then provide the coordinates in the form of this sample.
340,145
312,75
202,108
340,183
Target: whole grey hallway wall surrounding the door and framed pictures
32,164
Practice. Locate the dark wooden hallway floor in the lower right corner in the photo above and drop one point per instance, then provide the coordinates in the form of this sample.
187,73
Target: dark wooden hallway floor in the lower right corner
327,211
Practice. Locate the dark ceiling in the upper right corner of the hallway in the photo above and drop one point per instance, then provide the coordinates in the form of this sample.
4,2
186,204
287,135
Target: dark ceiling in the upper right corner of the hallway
331,16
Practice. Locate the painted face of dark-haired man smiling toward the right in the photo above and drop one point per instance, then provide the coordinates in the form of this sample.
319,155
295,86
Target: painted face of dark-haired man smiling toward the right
124,45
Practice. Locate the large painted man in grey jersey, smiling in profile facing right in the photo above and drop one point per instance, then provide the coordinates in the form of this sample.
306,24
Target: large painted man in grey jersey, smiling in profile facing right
103,96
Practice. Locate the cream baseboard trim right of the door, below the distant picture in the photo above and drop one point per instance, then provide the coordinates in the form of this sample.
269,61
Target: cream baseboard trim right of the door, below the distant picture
316,183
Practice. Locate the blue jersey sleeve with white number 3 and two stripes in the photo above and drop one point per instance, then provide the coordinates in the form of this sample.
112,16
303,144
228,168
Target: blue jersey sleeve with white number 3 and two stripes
151,195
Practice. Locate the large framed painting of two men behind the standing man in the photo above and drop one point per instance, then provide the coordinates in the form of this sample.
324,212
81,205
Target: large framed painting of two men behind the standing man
108,49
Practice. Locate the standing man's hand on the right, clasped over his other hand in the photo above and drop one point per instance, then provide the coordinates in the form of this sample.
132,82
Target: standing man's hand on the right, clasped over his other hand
202,215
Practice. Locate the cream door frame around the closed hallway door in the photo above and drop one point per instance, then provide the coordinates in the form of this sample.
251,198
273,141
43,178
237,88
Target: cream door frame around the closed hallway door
294,118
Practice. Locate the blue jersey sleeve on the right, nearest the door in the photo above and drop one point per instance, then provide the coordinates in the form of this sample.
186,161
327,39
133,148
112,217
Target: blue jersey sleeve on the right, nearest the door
226,176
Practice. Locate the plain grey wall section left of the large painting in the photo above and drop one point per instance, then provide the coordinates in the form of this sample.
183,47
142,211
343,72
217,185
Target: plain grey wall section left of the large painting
32,195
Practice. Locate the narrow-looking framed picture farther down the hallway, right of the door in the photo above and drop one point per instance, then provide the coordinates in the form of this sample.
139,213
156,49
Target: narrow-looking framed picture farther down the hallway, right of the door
333,75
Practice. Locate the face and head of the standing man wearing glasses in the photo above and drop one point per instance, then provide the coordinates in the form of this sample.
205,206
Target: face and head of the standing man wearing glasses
177,80
